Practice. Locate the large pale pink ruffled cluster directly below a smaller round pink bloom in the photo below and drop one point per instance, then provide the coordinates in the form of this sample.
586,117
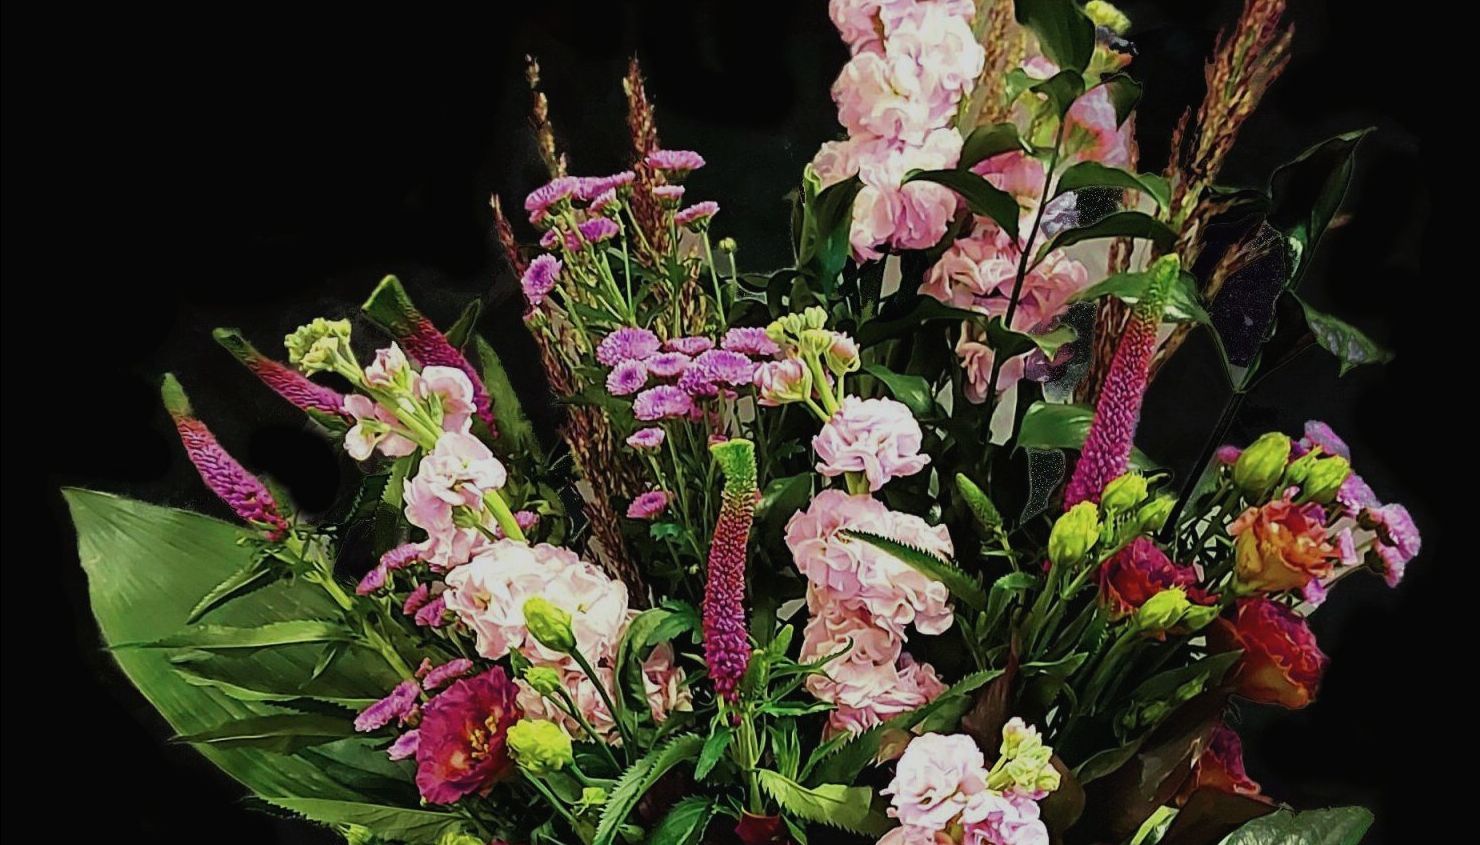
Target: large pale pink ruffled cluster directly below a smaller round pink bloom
862,603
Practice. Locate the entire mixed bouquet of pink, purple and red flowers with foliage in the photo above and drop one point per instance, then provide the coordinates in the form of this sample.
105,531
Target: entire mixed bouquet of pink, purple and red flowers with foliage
862,548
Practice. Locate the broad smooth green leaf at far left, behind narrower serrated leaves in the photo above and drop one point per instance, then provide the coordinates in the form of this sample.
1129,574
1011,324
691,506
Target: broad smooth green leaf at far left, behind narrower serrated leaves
147,566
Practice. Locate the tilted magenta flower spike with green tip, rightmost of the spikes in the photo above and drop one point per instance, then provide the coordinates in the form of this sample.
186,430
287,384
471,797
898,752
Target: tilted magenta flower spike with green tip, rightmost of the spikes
1108,449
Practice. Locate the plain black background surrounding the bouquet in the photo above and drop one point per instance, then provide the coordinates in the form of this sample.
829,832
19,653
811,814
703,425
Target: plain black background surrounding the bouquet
168,174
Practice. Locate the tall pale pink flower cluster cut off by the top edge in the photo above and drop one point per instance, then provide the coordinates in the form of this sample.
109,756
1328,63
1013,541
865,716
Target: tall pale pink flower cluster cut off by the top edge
912,64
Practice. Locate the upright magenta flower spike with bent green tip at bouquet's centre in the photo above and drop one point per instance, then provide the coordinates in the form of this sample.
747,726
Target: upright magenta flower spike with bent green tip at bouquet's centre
727,644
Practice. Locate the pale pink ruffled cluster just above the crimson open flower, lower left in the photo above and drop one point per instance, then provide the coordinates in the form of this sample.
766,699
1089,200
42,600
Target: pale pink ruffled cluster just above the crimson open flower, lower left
489,593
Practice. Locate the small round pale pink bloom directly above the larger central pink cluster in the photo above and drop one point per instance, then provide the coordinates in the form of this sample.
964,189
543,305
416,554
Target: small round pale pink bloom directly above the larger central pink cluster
875,437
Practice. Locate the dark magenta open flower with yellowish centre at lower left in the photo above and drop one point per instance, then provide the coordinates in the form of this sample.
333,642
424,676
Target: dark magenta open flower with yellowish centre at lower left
464,738
